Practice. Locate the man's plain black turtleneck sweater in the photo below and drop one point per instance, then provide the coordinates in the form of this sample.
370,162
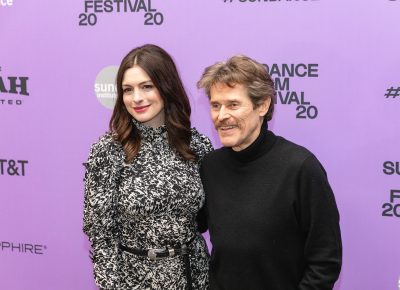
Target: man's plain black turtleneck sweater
272,217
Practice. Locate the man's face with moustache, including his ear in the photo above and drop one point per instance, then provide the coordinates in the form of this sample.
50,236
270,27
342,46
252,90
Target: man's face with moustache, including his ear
237,122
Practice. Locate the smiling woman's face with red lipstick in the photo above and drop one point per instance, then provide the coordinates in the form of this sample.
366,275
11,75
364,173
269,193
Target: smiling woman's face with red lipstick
141,97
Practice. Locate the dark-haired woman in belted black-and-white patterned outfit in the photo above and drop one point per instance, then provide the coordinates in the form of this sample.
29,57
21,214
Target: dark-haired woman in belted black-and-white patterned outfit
142,186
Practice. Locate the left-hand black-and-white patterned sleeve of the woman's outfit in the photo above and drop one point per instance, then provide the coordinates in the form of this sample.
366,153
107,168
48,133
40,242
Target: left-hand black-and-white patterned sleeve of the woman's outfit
99,224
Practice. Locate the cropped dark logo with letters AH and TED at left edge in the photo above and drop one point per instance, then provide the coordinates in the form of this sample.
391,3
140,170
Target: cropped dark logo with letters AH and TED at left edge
13,85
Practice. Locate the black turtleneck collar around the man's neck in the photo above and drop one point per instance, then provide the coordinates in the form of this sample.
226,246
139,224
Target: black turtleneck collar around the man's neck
264,142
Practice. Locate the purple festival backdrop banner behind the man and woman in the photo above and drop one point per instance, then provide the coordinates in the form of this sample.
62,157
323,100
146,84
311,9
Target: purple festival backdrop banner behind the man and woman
336,66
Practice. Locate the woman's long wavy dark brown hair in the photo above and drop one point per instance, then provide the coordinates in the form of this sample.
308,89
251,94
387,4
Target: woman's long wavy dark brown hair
160,67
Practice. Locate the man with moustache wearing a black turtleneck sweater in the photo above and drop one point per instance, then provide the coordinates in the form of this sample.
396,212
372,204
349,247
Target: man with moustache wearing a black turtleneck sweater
272,216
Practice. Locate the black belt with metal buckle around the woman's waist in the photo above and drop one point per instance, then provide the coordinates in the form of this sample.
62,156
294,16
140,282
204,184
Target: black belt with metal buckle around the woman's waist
156,254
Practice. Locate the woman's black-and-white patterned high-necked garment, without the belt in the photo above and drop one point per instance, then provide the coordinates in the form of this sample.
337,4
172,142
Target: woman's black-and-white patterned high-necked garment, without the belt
150,203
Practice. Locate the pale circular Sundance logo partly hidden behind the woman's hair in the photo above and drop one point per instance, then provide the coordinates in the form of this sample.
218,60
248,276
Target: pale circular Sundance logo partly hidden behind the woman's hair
105,87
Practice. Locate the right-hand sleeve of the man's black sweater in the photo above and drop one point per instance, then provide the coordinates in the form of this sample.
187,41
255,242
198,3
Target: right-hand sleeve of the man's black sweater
319,218
